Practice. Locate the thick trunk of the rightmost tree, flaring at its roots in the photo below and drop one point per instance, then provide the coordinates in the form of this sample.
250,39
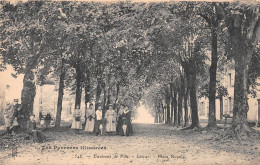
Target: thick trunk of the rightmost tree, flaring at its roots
243,50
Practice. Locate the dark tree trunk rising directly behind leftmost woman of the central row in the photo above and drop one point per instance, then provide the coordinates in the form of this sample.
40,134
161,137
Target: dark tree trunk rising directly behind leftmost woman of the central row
78,86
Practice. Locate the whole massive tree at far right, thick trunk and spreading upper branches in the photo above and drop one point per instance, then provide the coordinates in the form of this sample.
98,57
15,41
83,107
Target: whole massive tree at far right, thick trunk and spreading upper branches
243,23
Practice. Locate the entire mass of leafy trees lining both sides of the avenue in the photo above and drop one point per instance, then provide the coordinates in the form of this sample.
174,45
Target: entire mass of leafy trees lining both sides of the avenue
165,51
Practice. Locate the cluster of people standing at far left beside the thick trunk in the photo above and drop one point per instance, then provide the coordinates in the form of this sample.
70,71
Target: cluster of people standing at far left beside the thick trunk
13,117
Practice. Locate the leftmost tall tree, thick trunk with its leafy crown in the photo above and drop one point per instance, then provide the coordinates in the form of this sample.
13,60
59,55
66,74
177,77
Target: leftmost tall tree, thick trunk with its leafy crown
24,42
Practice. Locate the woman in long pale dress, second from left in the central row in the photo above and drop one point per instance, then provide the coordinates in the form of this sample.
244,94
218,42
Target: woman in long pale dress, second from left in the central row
90,117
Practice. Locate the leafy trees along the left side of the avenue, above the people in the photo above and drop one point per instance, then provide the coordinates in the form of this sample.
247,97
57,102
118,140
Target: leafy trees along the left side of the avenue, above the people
80,44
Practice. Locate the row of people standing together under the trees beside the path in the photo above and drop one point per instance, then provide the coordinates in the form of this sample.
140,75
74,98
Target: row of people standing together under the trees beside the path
114,122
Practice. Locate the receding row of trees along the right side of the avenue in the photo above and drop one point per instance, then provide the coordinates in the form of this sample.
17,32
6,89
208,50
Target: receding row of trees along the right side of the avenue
203,38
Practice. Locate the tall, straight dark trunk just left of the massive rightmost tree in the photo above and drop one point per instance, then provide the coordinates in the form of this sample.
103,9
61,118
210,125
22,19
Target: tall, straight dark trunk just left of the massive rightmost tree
213,72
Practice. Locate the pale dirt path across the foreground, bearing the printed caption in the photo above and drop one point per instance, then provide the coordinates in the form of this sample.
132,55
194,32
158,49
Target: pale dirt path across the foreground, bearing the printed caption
151,144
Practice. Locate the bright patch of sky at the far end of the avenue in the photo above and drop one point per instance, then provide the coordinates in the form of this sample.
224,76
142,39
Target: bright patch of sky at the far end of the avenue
143,115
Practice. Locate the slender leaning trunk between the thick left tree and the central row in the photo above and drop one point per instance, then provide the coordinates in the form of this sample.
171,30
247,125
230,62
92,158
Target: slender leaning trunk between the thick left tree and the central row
60,96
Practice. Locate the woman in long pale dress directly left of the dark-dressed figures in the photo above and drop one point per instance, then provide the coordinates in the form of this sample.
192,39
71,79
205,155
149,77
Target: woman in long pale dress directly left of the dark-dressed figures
110,117
